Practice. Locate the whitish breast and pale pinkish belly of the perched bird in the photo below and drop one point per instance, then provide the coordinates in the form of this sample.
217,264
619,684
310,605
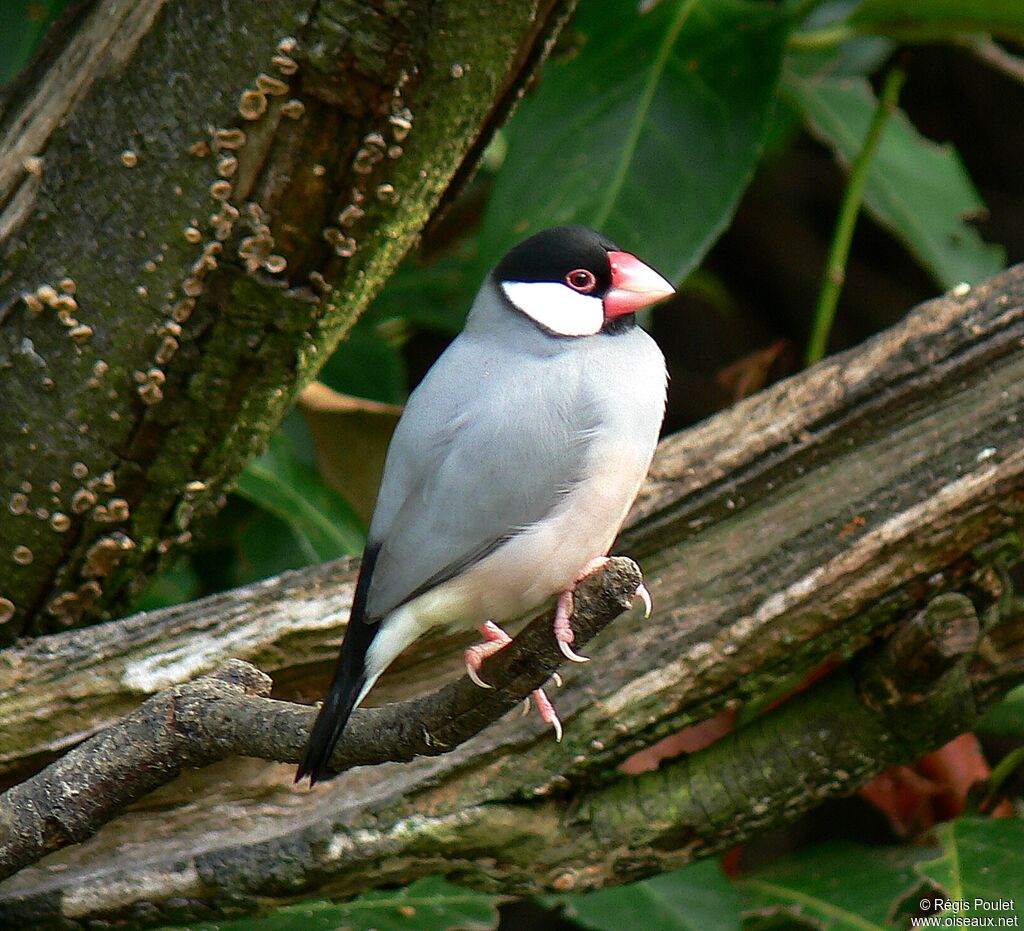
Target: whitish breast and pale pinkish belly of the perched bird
620,385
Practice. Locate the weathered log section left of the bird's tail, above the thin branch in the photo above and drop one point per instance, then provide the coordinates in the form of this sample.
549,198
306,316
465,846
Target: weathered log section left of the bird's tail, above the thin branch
61,689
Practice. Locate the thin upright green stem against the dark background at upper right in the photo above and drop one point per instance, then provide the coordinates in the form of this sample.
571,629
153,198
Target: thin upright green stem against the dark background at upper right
832,284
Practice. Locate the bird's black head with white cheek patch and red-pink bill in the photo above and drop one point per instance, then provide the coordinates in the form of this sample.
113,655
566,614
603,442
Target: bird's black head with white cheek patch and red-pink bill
572,281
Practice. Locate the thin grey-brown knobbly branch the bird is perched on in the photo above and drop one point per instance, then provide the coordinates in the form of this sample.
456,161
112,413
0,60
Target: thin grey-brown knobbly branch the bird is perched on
229,714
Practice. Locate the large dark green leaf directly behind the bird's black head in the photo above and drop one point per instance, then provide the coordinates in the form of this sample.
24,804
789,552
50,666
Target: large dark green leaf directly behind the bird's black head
651,134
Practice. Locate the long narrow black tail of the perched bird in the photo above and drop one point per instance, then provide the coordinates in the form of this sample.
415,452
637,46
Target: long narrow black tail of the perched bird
350,679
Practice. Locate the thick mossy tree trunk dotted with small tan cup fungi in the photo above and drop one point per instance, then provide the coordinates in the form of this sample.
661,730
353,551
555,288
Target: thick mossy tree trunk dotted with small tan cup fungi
197,201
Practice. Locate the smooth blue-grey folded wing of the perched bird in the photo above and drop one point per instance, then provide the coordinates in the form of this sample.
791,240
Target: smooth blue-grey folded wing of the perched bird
487,446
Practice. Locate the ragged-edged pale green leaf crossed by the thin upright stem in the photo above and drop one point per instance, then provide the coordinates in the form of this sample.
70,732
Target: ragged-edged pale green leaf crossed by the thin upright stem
918,190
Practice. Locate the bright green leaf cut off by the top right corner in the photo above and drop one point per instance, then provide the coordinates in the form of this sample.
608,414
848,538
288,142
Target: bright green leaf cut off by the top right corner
941,19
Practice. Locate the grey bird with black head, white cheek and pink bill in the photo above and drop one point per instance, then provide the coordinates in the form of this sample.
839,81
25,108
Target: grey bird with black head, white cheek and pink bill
514,465
